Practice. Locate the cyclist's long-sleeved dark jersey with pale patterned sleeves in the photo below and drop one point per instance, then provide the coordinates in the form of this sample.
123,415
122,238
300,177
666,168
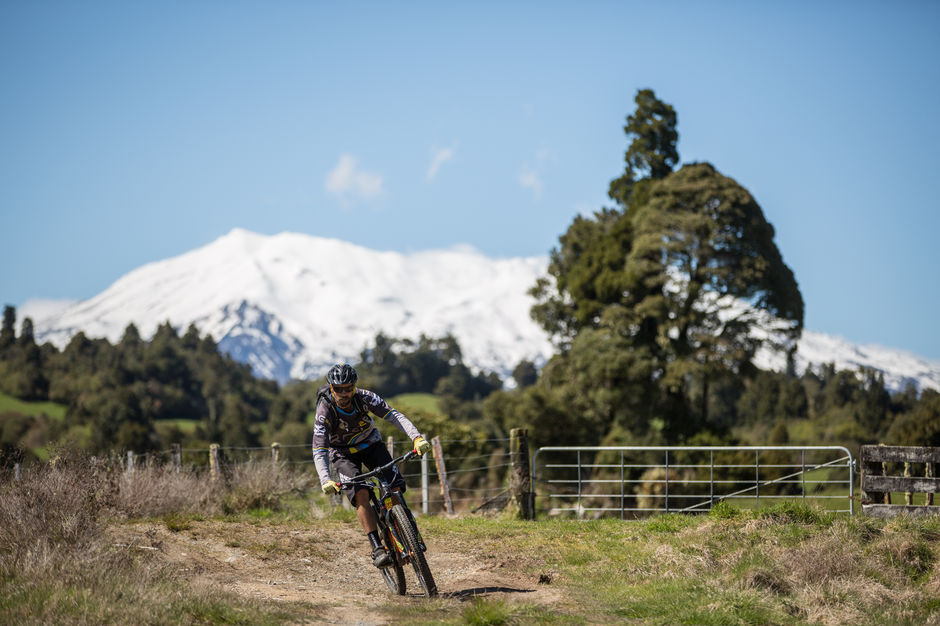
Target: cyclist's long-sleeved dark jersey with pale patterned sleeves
334,428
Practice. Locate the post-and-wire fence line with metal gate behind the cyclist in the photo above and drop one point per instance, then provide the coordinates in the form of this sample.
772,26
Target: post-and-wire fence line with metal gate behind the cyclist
630,482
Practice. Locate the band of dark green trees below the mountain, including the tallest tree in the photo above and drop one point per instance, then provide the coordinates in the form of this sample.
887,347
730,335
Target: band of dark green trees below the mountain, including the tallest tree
657,307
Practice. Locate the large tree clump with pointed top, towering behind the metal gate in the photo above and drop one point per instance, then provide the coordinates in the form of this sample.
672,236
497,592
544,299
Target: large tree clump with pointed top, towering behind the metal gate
685,277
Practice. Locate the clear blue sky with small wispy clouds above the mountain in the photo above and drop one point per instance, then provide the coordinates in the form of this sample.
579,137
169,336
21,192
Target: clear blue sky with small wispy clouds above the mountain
135,131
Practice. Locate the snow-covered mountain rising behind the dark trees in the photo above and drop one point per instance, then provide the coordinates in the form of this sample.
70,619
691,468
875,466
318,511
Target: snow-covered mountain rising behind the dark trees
291,305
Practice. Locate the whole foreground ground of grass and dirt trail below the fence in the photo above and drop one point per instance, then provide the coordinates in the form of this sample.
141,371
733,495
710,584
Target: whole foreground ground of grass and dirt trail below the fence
790,564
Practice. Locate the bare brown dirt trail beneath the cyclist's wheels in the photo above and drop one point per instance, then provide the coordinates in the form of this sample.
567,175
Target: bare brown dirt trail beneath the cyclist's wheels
314,563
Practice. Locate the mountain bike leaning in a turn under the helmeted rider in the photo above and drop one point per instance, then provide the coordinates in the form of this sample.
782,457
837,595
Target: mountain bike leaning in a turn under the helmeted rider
397,529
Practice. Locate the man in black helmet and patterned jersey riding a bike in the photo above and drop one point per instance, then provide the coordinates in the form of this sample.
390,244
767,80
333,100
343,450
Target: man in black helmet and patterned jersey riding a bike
345,435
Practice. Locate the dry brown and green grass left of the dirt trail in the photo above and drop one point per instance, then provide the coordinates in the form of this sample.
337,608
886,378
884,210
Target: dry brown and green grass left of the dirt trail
58,564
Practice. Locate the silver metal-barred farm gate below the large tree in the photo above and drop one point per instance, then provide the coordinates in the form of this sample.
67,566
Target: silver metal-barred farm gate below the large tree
638,481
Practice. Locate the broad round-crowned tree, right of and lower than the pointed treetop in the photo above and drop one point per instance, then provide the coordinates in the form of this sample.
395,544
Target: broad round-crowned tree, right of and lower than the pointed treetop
704,243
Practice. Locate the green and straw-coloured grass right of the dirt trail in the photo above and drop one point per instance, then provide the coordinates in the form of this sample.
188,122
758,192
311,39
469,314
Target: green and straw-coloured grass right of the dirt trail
789,564
